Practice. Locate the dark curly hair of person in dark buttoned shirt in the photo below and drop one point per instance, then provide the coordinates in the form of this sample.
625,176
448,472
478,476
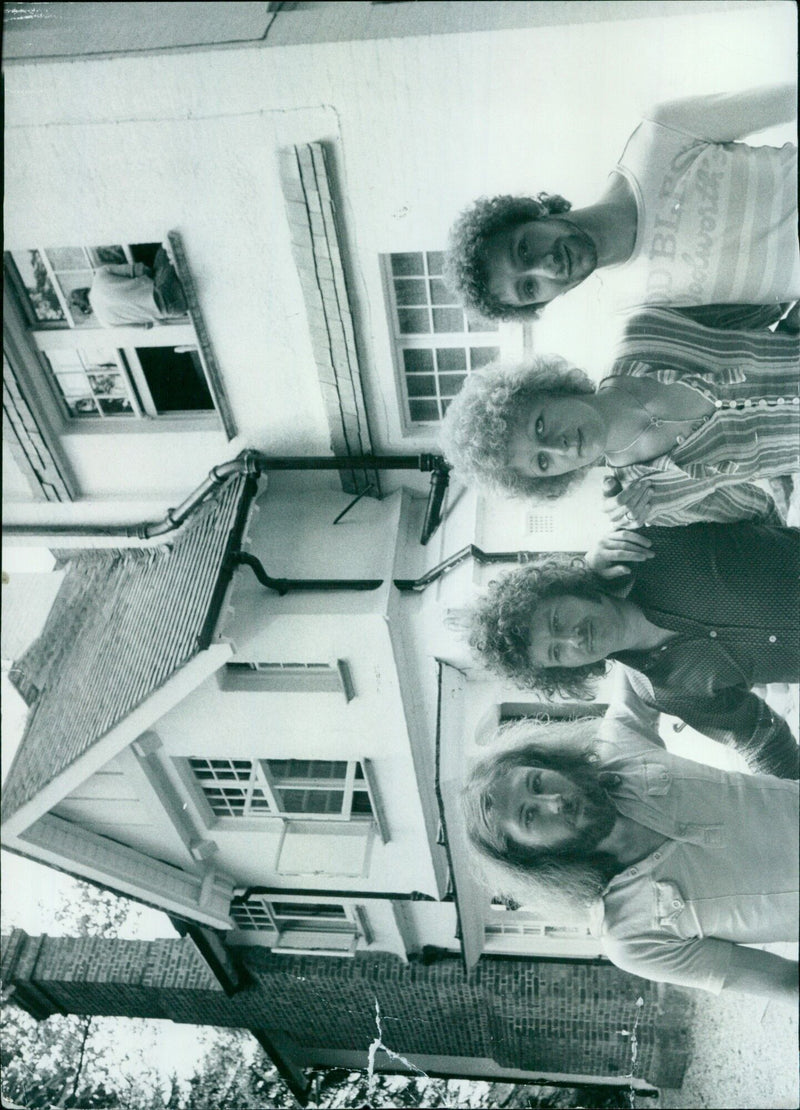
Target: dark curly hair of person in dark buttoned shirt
500,624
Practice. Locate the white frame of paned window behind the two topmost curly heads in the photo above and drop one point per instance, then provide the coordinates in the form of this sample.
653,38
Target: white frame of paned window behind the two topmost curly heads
504,338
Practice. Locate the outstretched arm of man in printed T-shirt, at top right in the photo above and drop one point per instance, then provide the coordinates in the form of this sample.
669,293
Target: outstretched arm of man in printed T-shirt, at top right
728,116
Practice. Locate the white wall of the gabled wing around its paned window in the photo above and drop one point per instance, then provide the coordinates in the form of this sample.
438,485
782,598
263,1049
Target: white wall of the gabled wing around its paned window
316,726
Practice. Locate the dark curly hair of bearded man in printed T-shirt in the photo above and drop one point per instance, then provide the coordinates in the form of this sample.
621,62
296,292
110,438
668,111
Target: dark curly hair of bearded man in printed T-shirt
465,265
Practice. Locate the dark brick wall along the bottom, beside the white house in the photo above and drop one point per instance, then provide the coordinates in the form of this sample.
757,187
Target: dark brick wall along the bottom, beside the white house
533,1015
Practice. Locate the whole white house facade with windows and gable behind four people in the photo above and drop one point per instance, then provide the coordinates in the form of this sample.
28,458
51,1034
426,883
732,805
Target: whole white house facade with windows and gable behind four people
281,766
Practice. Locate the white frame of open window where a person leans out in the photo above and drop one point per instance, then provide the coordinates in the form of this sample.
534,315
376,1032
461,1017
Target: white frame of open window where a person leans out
175,332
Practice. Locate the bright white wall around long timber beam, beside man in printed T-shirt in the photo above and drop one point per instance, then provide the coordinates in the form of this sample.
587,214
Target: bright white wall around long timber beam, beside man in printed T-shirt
128,147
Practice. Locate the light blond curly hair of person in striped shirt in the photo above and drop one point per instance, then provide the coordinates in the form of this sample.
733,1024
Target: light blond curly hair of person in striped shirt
483,417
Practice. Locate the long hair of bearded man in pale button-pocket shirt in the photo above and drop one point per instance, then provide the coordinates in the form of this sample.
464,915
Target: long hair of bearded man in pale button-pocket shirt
564,746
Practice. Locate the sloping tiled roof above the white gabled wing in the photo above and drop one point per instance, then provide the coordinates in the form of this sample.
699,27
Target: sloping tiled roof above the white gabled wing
125,621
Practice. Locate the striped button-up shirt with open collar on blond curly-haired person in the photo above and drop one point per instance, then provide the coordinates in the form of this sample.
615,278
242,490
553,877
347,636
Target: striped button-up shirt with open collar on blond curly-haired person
754,381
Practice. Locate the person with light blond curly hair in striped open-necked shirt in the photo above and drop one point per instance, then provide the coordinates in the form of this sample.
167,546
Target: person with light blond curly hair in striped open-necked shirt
688,418
